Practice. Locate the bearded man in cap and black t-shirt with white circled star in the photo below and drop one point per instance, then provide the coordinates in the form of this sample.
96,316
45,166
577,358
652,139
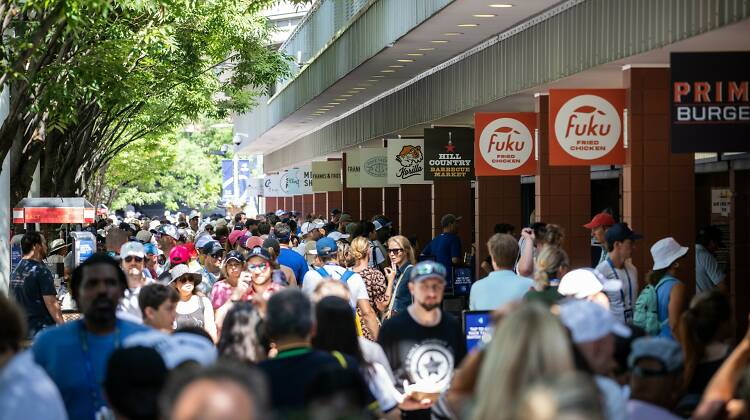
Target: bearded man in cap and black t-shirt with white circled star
424,344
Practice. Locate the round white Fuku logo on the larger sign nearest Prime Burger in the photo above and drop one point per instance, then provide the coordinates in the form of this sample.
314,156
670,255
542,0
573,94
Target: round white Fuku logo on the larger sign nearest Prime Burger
587,127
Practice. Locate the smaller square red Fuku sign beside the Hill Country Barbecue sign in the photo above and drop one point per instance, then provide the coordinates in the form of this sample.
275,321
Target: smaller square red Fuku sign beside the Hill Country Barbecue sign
504,144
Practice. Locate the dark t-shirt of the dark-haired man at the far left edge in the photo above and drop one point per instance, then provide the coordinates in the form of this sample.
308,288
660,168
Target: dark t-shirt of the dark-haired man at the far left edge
30,281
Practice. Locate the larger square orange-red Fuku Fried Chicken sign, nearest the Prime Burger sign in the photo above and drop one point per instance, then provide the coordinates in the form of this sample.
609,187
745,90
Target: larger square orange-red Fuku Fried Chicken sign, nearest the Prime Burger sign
585,127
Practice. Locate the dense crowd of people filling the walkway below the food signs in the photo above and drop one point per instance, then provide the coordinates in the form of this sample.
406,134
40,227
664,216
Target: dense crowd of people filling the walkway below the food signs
284,316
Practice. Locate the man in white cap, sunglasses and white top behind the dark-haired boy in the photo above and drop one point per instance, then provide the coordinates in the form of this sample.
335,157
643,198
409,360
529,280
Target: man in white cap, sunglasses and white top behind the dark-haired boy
132,262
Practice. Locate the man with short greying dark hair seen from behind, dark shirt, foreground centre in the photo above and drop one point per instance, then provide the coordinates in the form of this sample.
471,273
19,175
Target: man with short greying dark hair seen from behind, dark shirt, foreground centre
289,324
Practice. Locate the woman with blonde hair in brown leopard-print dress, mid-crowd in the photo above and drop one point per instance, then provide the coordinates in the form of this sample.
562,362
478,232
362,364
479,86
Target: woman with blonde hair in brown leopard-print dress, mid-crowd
375,281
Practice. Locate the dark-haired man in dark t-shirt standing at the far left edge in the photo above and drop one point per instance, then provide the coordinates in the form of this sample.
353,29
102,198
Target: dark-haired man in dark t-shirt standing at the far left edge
33,287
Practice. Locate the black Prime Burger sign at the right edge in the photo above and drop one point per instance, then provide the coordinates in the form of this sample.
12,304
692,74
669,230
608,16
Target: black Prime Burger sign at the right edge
710,95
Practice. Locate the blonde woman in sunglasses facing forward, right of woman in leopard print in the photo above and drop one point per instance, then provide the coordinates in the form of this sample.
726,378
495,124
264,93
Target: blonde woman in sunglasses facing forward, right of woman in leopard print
402,259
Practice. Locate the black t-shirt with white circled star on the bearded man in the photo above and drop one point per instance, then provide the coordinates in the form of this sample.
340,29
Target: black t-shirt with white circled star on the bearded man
422,354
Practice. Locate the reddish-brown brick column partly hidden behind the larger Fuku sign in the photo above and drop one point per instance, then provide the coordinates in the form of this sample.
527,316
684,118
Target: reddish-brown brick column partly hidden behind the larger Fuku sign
563,194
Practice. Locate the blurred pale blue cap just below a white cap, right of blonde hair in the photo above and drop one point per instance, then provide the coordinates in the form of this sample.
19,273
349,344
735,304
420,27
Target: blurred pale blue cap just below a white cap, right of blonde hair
588,321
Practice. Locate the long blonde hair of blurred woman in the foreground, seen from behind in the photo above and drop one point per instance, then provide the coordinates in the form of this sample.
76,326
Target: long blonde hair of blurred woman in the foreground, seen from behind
513,361
